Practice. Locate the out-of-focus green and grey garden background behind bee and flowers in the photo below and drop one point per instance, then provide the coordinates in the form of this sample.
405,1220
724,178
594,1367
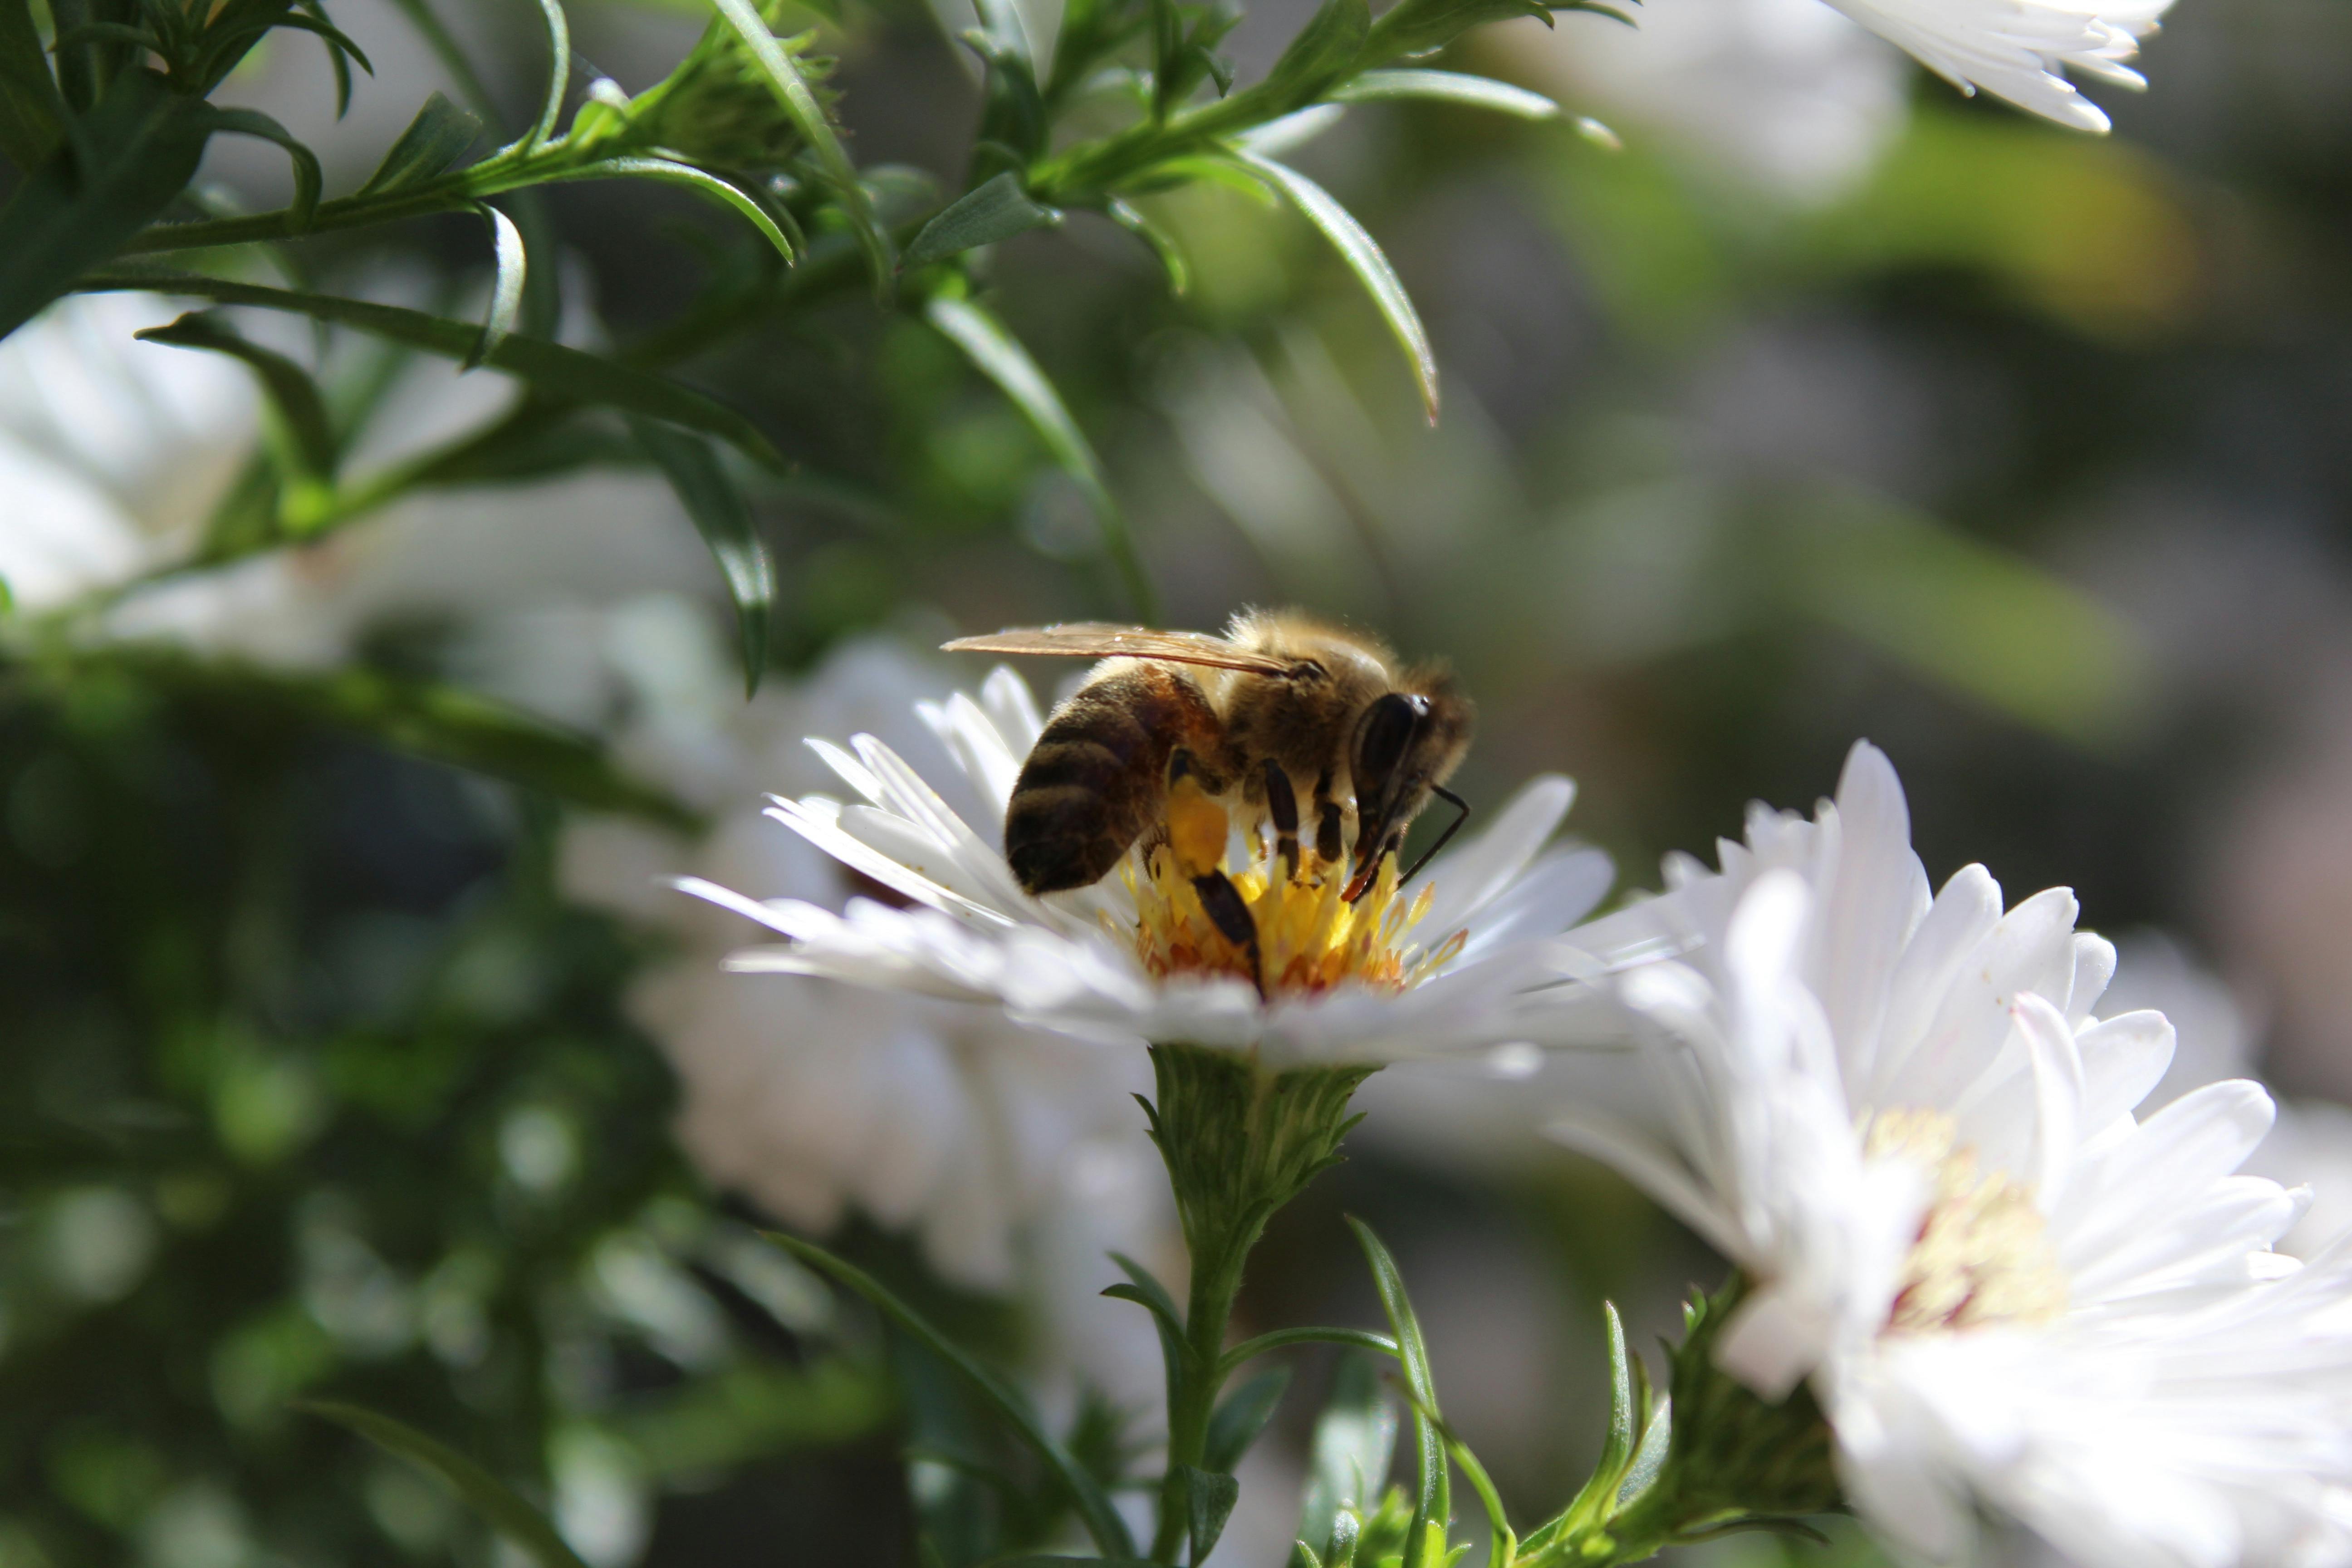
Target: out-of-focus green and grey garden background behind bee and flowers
1789,401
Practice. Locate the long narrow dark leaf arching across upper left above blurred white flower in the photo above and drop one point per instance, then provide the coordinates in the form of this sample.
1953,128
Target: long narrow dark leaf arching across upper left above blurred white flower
554,370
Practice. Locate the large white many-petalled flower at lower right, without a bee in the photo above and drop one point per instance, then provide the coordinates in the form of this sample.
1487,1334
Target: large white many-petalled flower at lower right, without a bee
1906,1127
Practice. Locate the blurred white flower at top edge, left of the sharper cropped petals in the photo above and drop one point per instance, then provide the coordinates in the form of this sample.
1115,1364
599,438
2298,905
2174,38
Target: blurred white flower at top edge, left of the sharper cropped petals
1782,93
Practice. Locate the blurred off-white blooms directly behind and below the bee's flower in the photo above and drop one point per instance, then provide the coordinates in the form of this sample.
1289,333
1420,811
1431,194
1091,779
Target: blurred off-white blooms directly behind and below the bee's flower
1015,1155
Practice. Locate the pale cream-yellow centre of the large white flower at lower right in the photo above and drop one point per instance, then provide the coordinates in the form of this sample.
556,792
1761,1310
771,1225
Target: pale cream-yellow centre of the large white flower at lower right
1984,1252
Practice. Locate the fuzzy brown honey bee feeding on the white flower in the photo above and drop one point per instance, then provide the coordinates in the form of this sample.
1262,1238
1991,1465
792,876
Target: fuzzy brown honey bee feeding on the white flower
1281,709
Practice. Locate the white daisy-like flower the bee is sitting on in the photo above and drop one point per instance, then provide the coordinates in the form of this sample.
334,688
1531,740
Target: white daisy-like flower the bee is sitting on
1455,965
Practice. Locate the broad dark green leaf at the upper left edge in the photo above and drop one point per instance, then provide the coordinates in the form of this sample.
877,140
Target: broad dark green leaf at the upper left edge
140,152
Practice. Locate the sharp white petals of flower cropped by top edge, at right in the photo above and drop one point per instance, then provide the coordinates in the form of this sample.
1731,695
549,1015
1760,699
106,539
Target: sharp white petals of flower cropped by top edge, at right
2022,51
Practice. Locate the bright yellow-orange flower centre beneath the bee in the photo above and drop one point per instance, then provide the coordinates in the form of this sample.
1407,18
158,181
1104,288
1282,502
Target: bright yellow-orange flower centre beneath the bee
1309,937
